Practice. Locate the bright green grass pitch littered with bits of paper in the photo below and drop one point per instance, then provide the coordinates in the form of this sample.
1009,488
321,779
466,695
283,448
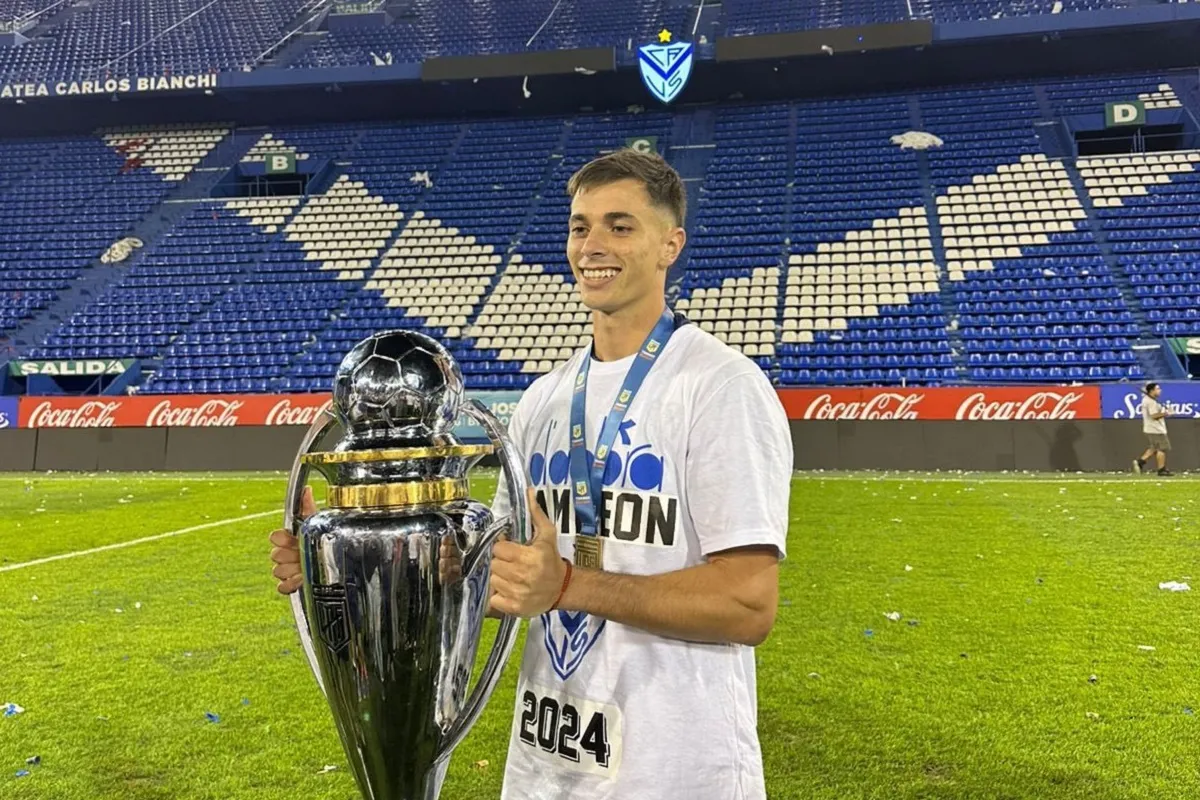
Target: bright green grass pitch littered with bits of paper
1035,654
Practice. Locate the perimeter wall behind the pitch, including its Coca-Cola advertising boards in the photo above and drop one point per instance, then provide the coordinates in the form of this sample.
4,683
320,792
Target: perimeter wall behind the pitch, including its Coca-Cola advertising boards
1045,429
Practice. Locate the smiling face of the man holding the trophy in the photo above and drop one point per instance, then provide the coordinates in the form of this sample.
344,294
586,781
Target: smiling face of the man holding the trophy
621,246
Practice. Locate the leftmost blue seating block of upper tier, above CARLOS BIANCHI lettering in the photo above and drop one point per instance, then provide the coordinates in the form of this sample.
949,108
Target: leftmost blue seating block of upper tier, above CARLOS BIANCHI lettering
123,39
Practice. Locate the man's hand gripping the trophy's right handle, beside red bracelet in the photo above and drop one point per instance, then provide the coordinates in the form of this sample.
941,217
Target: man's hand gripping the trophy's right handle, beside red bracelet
529,579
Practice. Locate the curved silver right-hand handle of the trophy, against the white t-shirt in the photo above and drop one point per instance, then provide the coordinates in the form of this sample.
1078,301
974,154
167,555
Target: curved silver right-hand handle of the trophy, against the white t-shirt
507,635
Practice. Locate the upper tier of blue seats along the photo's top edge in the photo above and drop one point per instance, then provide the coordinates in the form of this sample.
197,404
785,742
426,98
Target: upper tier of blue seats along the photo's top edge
177,38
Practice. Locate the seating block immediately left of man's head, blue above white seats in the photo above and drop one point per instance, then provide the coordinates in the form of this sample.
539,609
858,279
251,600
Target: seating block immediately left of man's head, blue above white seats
535,320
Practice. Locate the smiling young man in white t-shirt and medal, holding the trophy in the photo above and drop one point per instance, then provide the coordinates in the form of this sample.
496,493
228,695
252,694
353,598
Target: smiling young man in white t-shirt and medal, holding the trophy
638,679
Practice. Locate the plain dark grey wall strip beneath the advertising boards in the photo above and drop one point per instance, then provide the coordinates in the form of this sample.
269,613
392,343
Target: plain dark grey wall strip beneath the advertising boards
1039,446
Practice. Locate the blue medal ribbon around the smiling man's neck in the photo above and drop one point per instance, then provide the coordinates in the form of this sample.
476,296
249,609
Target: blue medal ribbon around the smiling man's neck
589,484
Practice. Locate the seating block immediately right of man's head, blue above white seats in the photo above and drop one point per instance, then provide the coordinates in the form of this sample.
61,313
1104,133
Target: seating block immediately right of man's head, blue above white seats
731,285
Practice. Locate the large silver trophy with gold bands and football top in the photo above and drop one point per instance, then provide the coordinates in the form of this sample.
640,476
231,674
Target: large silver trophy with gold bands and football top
397,567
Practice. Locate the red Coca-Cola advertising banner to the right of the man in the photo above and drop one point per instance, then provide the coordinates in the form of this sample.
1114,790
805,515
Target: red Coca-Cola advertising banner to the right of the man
993,404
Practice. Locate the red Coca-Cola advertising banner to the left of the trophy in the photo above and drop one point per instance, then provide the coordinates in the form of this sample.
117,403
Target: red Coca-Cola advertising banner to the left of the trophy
170,411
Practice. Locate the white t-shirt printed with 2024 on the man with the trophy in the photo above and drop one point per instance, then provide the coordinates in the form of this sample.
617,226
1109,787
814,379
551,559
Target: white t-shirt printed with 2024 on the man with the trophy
704,464
